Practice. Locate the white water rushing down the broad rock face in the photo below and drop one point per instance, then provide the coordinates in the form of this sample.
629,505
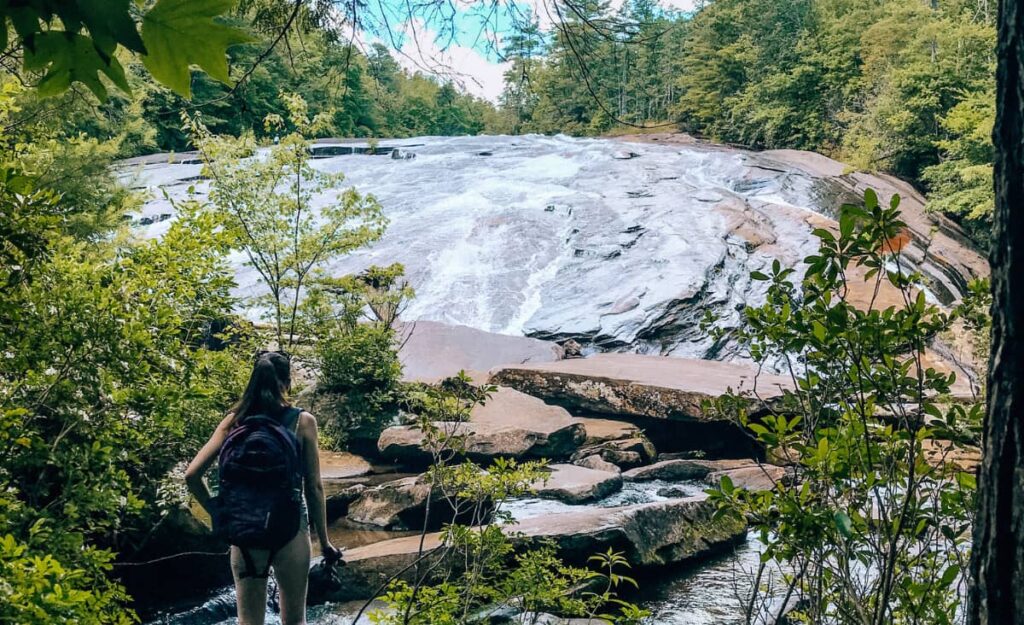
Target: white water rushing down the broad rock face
560,237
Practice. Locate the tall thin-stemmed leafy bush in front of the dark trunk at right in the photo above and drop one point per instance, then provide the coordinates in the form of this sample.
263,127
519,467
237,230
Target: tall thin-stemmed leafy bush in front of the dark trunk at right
874,527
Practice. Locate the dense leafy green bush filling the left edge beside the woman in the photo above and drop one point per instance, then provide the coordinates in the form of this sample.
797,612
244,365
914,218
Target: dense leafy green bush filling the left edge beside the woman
104,389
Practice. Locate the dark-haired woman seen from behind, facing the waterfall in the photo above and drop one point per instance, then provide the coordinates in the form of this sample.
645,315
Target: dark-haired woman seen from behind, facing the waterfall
266,395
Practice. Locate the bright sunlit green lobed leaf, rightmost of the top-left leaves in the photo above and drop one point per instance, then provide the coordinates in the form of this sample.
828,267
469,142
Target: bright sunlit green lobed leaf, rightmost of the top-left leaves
181,33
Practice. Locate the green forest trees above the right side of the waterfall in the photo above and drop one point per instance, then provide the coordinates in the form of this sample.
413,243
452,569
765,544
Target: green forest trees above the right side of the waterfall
902,87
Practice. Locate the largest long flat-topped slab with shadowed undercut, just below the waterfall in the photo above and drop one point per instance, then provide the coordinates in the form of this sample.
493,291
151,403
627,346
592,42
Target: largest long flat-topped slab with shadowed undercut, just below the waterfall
637,386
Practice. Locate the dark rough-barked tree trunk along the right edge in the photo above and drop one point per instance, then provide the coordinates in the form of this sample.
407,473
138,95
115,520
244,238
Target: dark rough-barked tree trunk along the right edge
998,565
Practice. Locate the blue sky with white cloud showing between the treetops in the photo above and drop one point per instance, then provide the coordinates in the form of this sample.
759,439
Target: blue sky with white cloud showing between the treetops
459,43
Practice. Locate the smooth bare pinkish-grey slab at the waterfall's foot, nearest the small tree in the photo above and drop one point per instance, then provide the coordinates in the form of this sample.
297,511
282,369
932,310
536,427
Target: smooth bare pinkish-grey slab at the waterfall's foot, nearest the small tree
433,351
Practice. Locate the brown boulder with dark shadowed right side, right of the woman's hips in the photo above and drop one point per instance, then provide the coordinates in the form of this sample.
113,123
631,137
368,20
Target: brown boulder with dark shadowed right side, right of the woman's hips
402,505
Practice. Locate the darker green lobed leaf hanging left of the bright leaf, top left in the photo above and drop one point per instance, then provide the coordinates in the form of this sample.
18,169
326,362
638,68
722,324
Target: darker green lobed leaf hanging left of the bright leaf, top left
69,58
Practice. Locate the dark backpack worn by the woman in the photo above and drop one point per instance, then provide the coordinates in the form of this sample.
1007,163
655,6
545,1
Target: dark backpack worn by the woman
260,505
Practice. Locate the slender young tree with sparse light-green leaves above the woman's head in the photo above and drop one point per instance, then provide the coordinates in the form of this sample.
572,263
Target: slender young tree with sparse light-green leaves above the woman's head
269,205
